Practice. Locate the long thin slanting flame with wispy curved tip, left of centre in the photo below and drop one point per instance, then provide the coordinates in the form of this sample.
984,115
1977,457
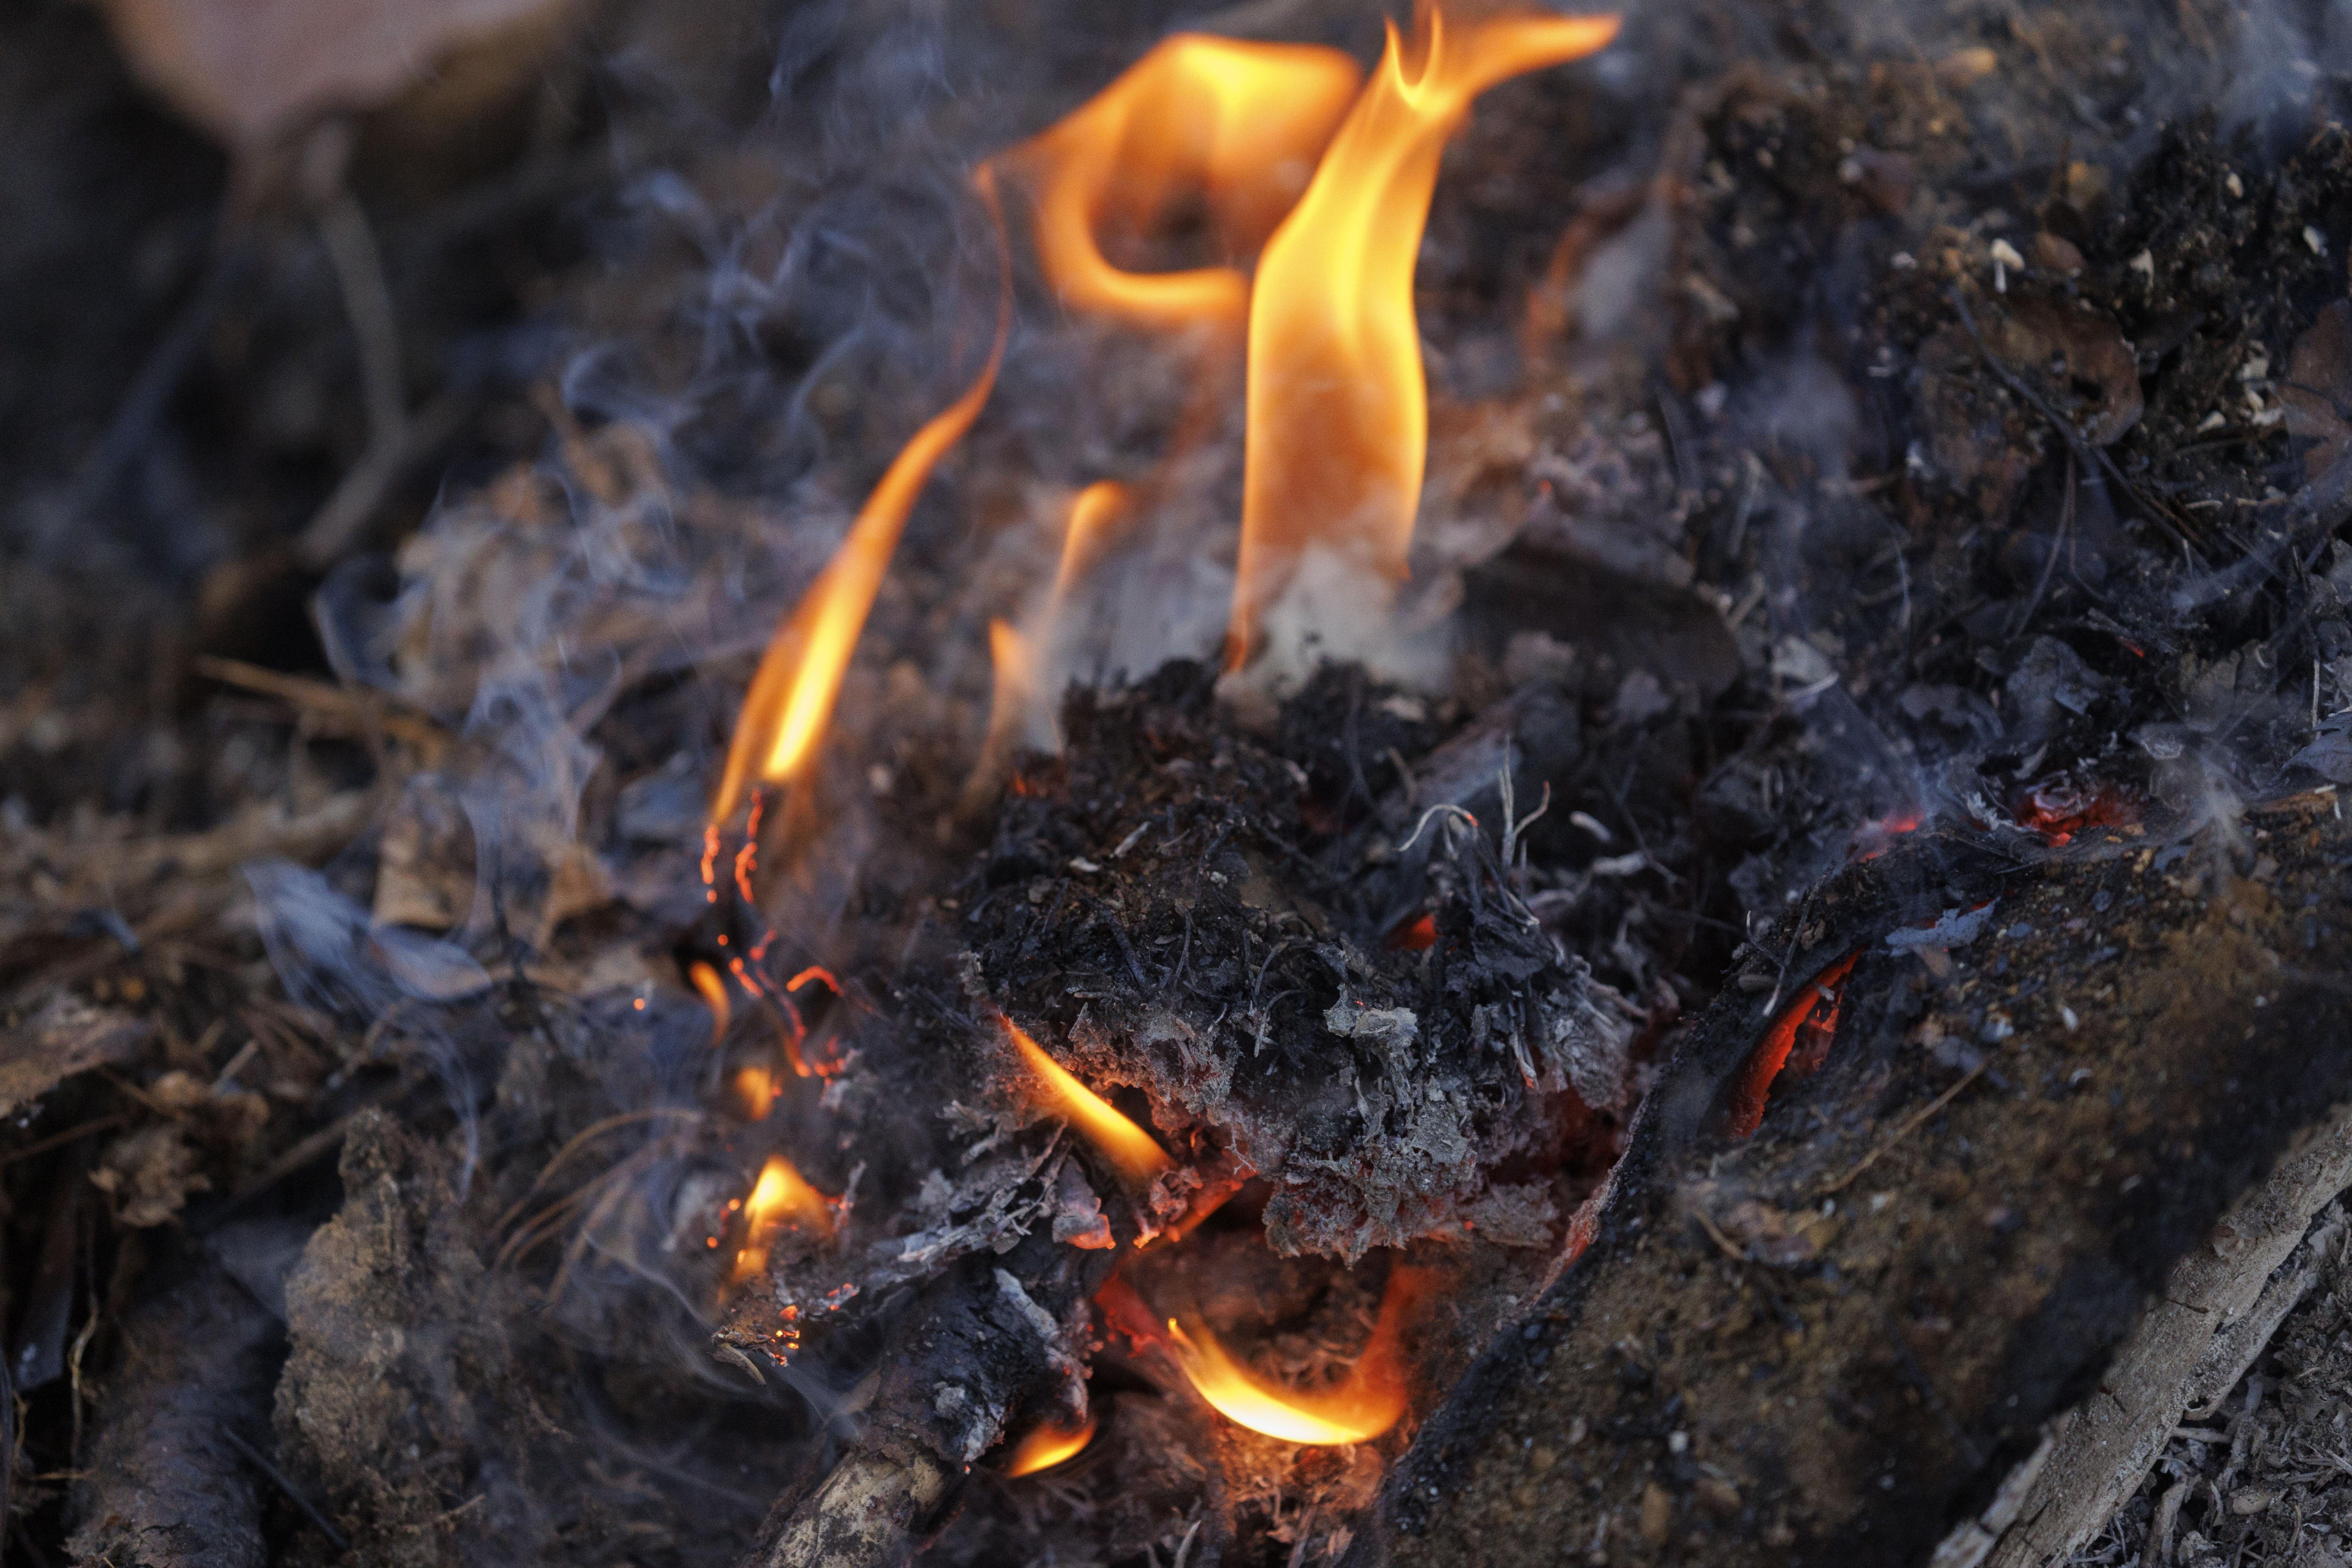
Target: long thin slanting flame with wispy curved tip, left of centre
801,676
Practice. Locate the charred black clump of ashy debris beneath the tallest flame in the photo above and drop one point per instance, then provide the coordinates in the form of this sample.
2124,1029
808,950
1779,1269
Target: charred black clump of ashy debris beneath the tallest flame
1375,1031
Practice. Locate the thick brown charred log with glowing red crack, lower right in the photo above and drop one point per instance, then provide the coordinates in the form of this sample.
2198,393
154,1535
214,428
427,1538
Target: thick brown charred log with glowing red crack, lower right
1838,1339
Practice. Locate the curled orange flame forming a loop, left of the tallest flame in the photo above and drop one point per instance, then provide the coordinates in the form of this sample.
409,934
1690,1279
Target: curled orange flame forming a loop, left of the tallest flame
1229,123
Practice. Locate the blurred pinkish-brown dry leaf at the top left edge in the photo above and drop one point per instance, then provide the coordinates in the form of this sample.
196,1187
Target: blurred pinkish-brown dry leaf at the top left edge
255,69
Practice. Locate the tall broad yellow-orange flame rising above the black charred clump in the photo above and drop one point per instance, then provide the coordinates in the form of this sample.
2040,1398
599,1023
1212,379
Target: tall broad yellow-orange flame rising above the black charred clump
1337,403
